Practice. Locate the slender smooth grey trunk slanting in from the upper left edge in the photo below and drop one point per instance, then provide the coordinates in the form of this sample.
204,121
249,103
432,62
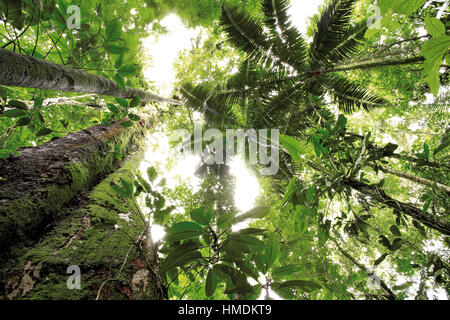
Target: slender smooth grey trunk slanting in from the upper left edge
23,71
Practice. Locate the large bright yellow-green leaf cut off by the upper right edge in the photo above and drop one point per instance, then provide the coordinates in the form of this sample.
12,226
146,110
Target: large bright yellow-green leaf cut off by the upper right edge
434,51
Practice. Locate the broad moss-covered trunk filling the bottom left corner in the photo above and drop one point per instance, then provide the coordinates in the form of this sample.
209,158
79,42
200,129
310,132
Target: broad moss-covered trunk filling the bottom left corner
100,234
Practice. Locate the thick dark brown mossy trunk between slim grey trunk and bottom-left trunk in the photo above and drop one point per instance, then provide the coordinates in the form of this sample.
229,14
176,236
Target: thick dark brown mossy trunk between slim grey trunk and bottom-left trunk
36,184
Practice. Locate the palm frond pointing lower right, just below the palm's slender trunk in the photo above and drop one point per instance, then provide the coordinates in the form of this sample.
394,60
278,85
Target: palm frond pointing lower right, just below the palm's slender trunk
350,95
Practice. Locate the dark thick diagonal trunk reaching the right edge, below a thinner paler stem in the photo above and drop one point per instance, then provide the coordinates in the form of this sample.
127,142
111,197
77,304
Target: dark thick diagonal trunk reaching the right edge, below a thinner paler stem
380,196
